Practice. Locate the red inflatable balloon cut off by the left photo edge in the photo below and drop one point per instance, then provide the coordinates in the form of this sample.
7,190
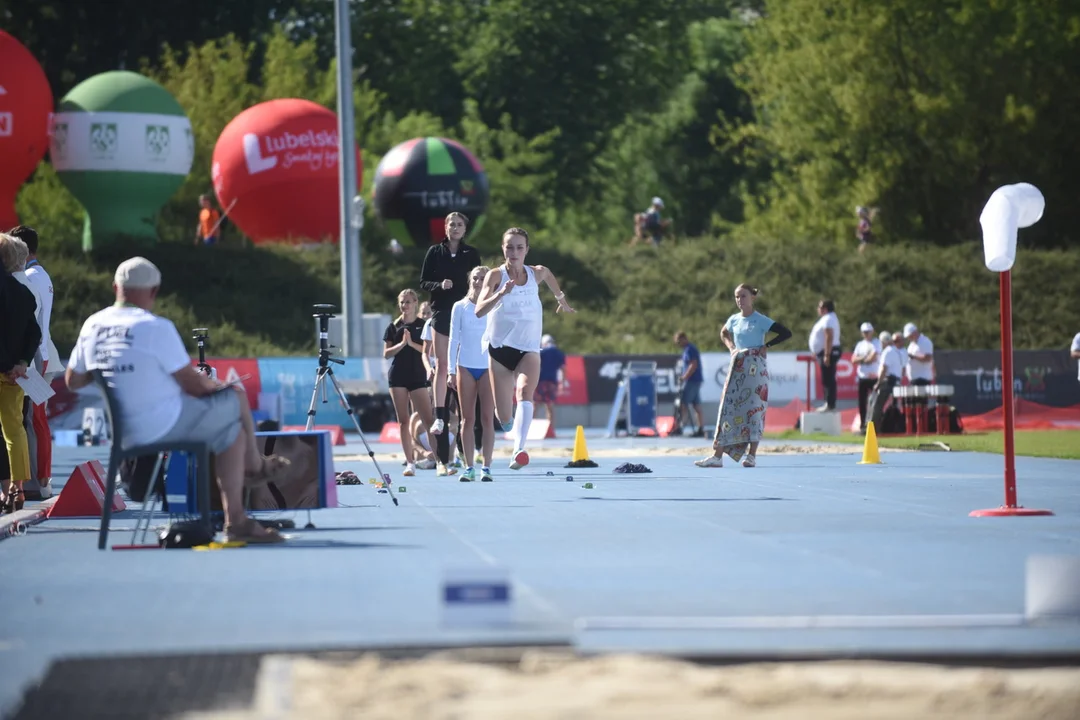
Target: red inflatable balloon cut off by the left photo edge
26,106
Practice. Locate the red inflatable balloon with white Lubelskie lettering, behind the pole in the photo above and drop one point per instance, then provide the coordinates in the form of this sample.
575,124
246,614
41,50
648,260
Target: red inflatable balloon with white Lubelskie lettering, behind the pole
277,167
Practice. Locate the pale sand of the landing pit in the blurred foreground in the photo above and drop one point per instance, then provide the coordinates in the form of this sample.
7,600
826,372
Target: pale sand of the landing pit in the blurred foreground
545,686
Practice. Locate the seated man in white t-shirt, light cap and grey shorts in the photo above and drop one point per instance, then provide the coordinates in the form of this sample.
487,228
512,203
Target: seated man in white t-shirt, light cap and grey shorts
164,399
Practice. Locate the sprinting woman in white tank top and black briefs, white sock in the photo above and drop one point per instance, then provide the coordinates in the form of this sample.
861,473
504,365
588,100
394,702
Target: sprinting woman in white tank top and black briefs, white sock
511,294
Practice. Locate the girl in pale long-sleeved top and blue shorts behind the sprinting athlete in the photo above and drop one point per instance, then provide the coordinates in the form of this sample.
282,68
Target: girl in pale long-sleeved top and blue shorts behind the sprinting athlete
468,365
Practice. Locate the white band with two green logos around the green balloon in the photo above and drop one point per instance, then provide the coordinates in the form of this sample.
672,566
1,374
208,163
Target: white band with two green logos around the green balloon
125,142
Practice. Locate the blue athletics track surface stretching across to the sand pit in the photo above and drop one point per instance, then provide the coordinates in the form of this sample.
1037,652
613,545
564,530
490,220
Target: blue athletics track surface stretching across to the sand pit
703,553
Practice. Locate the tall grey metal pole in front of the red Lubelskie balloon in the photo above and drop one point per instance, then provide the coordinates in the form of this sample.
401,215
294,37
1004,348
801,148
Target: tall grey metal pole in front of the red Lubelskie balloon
352,206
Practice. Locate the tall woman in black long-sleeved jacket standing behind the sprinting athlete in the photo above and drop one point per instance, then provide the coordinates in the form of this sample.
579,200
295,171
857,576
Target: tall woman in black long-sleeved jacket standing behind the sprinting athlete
445,276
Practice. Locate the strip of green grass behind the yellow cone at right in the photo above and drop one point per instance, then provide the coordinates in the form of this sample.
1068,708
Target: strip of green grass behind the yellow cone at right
1063,444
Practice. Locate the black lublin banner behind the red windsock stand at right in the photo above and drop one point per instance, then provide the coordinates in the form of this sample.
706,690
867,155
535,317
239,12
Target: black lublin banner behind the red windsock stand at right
1047,377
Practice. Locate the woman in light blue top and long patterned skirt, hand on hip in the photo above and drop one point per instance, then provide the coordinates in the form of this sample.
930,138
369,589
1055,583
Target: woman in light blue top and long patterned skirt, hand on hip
741,420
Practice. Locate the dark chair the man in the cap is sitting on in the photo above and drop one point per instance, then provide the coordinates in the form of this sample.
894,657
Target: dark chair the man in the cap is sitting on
118,454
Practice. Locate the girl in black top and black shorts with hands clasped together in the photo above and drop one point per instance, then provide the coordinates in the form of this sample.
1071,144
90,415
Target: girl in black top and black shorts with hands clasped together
409,382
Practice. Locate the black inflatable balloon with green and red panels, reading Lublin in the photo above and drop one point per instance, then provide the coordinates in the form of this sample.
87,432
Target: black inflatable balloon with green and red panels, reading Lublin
423,181
